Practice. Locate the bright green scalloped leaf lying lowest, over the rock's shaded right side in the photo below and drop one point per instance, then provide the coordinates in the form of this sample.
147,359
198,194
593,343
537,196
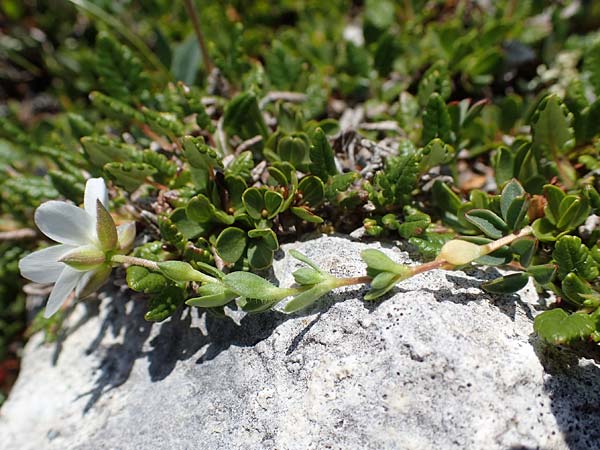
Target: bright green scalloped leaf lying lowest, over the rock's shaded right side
558,327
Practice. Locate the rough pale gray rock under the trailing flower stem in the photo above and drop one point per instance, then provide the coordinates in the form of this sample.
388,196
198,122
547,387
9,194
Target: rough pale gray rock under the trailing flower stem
438,364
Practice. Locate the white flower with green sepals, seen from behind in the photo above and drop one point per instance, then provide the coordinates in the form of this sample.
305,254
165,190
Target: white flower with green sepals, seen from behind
87,236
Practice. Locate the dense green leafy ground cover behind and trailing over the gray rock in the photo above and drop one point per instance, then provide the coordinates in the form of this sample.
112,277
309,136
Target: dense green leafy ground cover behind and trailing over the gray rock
227,128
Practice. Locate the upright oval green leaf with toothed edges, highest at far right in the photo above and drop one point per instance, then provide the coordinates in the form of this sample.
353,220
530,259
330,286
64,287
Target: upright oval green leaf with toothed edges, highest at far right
551,127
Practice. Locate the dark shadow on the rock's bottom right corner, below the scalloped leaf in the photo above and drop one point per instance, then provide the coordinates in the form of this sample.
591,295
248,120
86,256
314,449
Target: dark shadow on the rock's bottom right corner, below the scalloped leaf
574,390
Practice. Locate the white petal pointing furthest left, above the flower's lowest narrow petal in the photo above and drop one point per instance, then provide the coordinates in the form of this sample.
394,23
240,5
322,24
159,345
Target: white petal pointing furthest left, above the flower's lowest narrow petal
43,266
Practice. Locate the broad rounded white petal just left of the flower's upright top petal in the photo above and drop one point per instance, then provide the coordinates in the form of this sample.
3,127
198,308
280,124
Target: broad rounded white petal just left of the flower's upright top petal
65,223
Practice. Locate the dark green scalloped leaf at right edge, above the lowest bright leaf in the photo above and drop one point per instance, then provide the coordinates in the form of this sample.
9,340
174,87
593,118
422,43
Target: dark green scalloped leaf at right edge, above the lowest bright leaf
571,255
